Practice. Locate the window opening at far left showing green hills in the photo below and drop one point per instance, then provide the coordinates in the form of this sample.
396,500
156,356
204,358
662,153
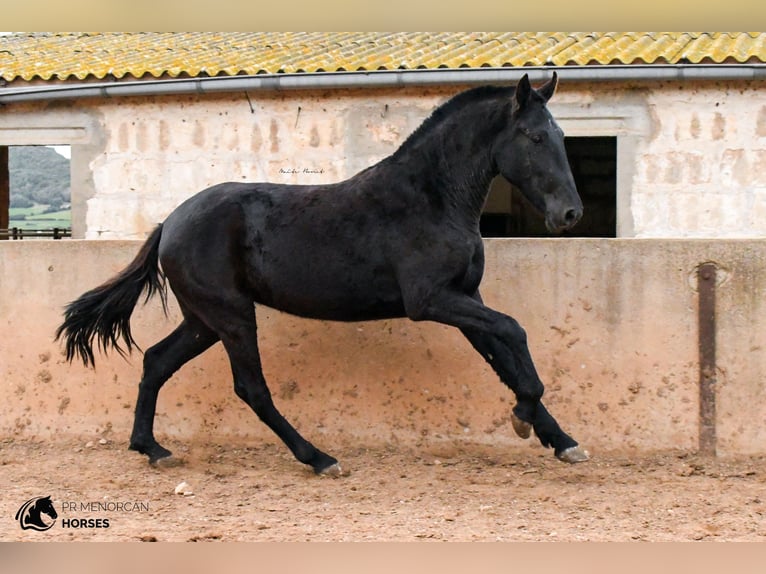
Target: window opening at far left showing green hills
38,195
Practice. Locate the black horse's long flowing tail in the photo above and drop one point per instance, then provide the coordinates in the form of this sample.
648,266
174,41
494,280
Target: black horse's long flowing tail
104,312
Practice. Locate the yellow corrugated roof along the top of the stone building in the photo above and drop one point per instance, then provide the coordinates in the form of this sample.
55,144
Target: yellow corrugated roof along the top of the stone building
62,56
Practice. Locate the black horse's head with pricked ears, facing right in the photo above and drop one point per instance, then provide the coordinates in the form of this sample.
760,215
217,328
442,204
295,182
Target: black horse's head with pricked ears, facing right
530,154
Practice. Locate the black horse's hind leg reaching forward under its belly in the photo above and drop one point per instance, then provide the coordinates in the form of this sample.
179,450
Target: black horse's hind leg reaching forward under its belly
236,327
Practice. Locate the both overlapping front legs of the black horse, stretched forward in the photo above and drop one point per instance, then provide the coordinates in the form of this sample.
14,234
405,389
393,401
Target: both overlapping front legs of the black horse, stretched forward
502,342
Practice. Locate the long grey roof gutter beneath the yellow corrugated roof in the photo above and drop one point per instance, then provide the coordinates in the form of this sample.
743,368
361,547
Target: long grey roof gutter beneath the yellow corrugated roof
387,79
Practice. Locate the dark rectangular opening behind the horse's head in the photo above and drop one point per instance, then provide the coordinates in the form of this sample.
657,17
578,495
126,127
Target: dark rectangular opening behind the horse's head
594,166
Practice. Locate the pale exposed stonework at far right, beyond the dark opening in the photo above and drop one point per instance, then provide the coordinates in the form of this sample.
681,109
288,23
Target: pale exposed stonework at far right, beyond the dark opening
703,172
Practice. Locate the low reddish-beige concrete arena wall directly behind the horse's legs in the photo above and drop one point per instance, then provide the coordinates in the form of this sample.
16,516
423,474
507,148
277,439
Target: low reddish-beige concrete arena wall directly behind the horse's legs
616,328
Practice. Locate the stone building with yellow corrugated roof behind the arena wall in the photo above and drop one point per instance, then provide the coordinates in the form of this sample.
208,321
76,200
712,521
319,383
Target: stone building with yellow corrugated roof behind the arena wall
666,131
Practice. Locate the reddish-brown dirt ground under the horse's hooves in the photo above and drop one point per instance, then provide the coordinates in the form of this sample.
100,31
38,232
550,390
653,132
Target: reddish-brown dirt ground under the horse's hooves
446,492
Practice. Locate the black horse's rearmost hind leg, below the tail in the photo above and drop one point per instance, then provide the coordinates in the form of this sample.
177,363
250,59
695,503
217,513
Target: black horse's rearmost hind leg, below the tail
188,340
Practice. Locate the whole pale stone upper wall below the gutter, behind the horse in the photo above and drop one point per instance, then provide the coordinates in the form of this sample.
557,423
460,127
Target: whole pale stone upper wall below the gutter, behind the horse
691,156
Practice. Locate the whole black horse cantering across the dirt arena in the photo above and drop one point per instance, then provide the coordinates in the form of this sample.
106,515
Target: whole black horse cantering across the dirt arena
399,239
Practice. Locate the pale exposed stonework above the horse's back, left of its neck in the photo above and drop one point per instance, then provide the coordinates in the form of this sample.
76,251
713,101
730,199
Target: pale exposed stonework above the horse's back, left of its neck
160,151
